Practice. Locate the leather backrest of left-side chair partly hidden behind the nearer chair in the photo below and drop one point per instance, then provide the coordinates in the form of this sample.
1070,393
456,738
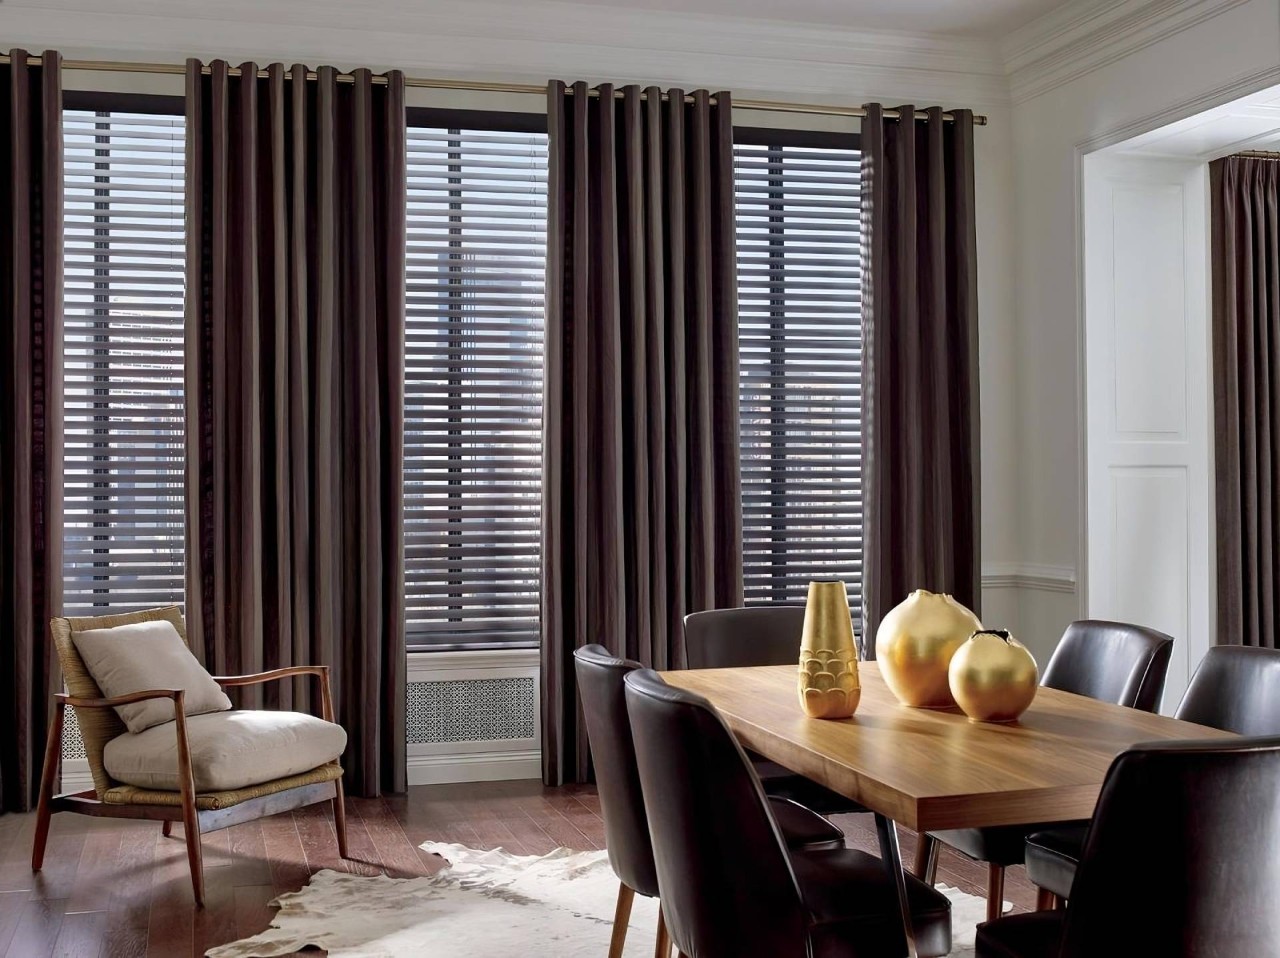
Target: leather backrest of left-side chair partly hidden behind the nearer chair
609,731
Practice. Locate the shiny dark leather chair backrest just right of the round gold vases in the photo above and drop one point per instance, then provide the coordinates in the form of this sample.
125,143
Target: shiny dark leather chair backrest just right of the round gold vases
1112,663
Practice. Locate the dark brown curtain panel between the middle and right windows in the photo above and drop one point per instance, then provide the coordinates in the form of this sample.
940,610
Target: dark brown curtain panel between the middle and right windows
641,476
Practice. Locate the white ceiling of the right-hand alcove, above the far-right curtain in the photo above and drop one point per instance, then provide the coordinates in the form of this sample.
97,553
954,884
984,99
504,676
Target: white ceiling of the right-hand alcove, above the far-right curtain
1250,124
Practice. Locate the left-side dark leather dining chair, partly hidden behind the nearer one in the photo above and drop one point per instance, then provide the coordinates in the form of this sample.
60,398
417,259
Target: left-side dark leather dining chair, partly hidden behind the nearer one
627,829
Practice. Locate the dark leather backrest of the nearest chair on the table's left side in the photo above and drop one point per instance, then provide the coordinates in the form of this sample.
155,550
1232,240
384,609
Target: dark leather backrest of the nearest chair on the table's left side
728,887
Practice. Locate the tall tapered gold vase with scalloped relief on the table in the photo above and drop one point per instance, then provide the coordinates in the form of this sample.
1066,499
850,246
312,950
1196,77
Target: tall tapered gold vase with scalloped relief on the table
829,659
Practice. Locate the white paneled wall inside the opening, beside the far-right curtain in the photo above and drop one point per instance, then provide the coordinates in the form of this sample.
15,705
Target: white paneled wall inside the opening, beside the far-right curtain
1148,376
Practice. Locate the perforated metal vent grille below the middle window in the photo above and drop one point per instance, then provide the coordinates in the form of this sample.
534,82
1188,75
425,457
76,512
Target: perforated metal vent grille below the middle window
472,710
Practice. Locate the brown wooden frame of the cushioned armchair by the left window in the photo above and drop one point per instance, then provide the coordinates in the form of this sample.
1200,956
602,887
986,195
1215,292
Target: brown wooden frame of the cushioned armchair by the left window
195,820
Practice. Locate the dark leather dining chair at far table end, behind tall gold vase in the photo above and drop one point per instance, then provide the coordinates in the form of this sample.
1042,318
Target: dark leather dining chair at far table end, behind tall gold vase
734,638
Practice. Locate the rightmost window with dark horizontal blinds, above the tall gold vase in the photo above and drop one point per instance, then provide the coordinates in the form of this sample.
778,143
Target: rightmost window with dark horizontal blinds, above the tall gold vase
799,258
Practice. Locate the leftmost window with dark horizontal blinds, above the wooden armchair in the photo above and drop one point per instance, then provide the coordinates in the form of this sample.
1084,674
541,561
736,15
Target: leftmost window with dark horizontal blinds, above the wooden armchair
124,535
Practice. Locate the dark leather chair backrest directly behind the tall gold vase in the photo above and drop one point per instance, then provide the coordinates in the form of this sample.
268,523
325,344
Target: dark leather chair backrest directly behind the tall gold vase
732,638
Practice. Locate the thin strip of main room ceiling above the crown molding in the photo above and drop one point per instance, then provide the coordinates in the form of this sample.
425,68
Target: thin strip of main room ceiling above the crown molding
976,19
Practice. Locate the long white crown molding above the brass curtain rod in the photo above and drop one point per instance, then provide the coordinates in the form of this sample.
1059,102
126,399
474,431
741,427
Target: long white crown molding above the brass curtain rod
529,43
